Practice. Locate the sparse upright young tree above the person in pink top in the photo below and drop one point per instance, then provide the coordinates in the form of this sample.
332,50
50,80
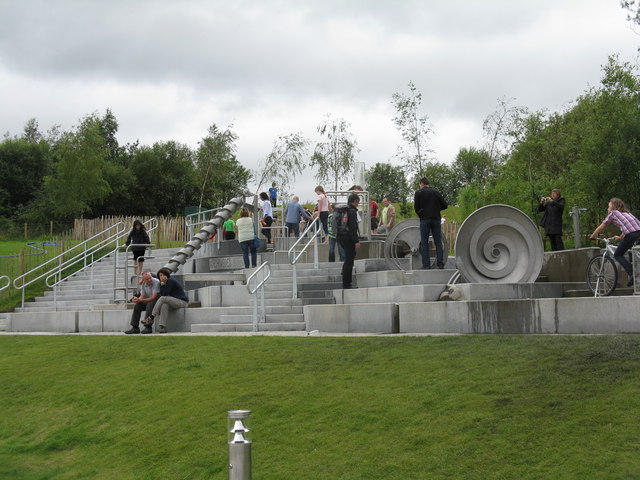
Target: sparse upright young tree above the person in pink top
334,158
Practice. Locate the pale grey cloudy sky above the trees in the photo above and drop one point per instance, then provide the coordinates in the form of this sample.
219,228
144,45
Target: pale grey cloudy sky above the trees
169,69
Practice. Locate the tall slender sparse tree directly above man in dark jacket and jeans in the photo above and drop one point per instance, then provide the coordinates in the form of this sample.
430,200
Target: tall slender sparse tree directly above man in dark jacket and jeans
415,130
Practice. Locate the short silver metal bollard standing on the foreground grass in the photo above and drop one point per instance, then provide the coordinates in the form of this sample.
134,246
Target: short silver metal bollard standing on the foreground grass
239,445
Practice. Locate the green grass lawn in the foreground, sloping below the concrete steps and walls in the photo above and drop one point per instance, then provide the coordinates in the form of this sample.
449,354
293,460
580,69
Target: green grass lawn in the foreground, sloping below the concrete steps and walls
468,407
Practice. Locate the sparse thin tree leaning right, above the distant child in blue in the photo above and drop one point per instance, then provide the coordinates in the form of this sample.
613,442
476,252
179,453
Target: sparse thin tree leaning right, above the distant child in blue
285,161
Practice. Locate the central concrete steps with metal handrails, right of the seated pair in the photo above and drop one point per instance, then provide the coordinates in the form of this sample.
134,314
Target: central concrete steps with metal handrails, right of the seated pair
282,311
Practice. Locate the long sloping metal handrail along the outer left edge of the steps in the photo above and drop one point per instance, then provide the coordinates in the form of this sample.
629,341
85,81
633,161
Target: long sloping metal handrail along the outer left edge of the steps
62,264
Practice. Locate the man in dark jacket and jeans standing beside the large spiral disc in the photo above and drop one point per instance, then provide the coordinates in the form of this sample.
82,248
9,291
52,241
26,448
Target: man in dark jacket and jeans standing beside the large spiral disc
428,202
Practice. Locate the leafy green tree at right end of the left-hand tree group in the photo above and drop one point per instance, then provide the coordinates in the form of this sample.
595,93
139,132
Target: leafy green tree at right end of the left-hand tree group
220,175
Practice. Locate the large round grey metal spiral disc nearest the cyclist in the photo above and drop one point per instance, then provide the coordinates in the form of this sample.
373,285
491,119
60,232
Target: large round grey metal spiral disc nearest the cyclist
499,244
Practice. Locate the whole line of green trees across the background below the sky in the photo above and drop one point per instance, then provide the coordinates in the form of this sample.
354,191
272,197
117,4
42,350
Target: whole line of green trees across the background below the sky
590,151
